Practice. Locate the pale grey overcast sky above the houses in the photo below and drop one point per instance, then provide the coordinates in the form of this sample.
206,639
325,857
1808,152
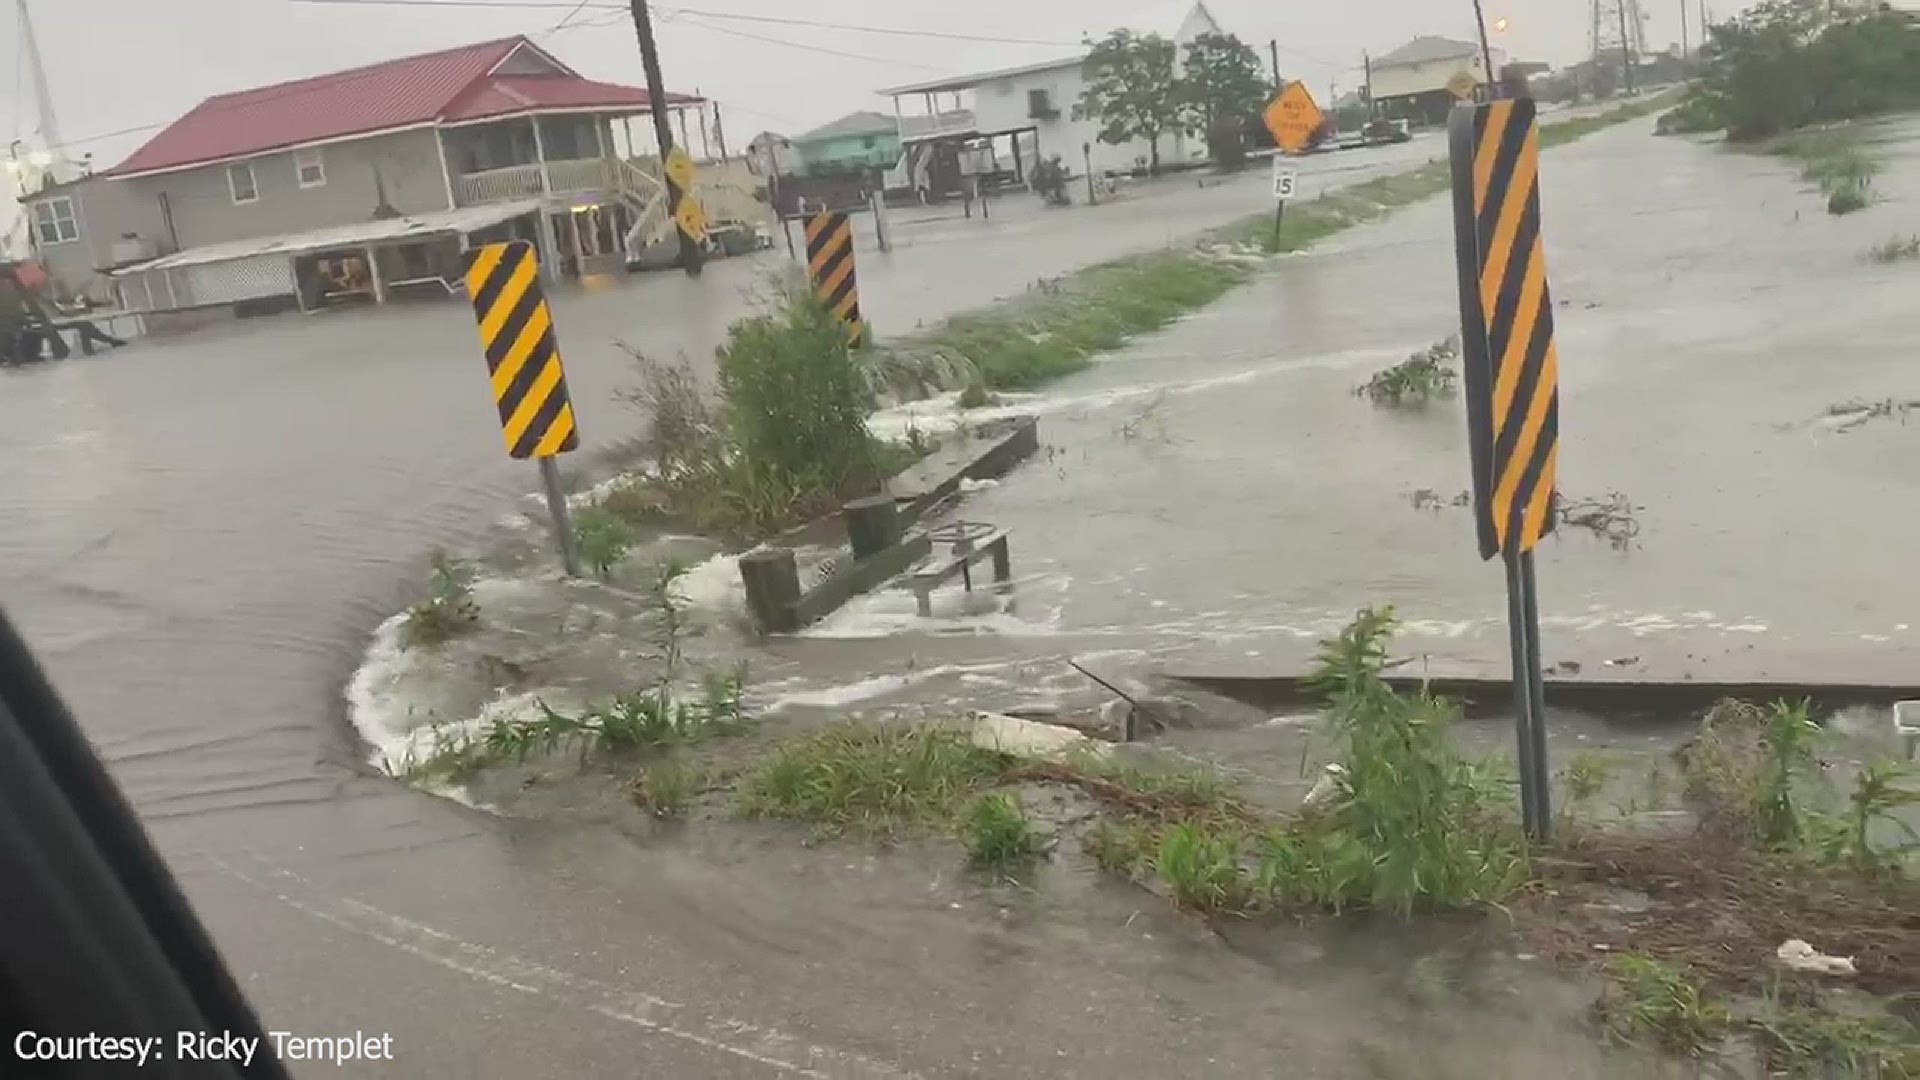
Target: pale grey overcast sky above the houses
118,64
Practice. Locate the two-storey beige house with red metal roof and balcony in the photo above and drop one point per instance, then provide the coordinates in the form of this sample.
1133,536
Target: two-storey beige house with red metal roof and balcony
362,182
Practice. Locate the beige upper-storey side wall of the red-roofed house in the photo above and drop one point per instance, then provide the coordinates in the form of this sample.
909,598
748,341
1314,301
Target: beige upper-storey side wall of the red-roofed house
204,210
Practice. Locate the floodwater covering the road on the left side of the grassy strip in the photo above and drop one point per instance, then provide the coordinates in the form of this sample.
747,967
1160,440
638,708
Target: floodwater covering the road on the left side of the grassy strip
206,531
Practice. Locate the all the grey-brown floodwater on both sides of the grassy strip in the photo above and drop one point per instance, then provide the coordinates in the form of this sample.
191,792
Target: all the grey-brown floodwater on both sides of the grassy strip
208,529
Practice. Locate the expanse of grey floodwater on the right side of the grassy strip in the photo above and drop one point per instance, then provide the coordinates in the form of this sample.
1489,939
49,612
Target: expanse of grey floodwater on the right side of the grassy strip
1220,499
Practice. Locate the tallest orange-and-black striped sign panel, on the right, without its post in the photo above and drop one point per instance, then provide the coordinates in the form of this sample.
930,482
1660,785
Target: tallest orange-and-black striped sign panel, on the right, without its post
1506,324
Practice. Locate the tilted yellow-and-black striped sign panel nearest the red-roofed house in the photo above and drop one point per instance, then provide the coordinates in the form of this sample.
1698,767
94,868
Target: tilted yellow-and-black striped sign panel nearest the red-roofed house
521,355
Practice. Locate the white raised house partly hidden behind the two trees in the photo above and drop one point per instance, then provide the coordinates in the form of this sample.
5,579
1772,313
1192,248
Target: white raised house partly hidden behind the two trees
1026,114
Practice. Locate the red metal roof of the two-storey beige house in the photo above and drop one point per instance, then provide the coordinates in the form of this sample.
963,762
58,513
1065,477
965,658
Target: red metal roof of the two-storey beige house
362,101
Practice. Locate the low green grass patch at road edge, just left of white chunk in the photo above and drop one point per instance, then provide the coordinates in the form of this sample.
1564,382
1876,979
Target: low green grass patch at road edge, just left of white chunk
884,781
